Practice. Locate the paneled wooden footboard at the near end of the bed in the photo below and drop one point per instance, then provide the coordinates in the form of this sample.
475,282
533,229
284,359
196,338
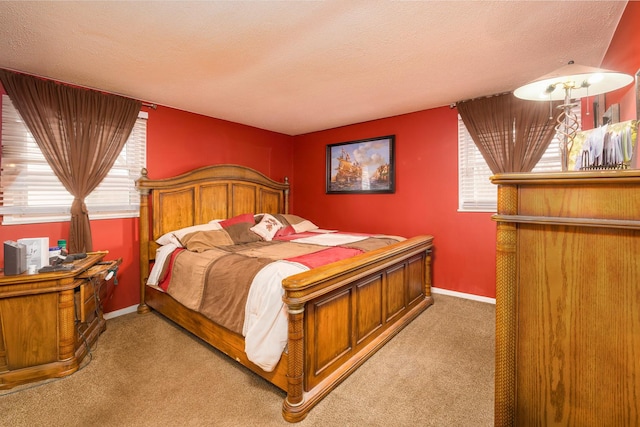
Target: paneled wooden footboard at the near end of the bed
342,313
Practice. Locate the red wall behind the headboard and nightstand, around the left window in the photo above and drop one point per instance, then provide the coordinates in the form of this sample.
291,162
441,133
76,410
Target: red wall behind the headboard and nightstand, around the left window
177,141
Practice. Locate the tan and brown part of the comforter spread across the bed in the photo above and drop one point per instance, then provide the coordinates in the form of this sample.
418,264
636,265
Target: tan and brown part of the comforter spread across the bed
215,280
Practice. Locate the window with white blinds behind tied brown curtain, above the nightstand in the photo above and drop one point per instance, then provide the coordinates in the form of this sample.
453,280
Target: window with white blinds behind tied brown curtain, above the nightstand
30,192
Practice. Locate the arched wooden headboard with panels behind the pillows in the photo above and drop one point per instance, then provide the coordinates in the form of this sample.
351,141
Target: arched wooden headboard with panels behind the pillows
202,195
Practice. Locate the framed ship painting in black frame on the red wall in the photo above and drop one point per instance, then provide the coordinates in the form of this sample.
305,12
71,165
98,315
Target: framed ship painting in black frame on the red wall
363,166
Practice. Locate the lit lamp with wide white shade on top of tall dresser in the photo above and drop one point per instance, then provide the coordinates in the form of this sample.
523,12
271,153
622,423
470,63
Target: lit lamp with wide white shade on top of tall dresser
568,83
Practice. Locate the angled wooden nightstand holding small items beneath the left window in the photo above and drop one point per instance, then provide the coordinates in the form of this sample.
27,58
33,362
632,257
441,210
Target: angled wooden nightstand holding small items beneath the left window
49,321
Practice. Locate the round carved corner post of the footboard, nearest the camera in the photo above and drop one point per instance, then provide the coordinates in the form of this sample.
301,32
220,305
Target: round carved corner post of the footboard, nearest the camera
295,362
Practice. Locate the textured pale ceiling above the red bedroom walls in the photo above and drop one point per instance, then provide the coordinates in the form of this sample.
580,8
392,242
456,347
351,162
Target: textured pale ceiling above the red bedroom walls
300,66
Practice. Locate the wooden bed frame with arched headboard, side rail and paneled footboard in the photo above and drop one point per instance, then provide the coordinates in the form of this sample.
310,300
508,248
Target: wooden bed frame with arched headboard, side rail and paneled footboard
339,314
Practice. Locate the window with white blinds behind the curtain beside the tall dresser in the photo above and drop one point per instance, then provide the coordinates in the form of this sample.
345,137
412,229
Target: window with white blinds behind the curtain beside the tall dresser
476,193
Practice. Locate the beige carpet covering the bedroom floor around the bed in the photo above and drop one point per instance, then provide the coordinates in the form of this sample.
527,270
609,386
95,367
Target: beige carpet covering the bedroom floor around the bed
145,371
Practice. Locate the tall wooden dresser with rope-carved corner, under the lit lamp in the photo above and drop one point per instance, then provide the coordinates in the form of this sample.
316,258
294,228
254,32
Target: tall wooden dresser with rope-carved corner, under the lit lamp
568,299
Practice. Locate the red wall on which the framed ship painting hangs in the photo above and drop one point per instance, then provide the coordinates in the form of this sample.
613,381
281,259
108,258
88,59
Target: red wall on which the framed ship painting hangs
425,200
